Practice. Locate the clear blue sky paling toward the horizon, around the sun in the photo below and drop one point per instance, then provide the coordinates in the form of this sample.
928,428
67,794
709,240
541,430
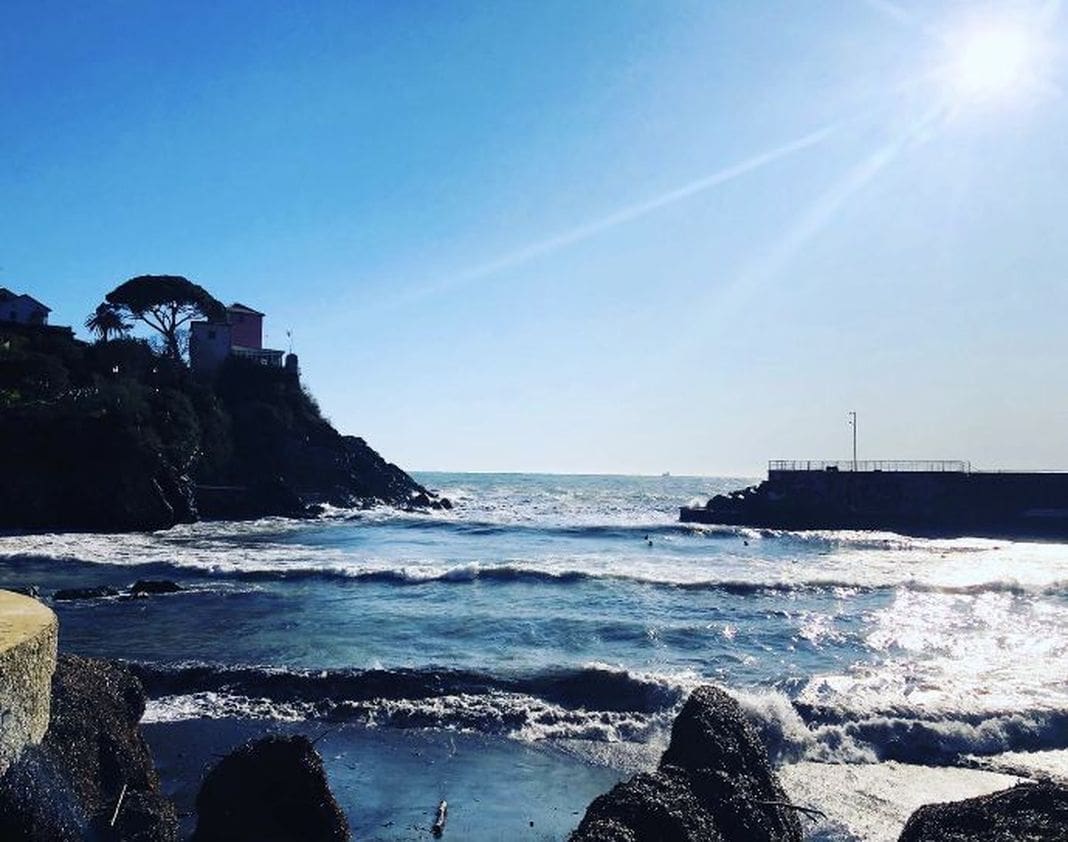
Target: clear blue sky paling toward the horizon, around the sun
593,237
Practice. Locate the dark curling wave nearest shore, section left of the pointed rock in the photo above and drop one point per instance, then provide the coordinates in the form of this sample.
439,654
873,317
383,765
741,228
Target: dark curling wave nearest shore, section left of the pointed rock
593,704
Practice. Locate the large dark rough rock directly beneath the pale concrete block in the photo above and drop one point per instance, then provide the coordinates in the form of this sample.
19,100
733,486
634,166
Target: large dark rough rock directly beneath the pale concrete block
67,788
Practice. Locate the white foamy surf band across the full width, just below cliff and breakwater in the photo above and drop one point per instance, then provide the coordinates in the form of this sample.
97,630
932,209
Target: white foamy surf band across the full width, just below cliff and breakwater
851,560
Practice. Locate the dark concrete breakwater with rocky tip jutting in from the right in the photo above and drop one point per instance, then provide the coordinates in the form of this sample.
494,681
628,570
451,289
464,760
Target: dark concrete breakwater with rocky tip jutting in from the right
955,502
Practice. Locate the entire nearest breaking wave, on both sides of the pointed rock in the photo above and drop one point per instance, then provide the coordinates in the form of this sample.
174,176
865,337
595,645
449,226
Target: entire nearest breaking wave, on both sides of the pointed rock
593,704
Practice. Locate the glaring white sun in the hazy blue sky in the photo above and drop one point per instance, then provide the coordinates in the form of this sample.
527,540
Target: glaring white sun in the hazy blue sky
993,60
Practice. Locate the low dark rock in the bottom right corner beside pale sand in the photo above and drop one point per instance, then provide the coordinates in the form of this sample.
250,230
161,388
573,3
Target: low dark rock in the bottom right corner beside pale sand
1028,812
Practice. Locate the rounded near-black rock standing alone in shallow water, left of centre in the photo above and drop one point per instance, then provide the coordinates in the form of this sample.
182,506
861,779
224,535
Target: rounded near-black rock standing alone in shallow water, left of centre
270,790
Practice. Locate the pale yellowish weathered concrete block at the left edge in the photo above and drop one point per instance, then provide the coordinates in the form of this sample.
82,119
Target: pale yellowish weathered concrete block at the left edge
28,636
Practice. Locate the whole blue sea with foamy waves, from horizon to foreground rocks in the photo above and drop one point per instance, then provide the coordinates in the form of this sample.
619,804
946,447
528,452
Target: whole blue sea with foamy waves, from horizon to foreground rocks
521,654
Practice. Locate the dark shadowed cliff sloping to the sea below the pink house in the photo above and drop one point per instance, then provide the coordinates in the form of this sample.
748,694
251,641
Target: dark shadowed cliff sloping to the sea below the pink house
115,438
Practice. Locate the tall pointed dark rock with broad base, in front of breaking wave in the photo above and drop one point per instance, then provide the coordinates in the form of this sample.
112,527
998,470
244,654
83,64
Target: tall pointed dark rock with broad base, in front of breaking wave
715,785
